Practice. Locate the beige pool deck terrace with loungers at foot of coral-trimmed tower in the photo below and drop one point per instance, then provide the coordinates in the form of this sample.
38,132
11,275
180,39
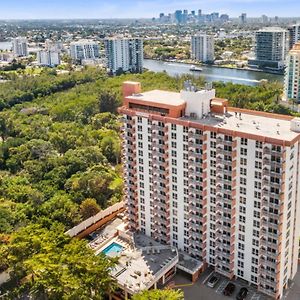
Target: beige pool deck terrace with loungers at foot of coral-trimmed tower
142,261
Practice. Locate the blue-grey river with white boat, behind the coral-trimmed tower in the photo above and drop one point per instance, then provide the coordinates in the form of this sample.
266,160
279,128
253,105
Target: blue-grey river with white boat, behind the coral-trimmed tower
211,73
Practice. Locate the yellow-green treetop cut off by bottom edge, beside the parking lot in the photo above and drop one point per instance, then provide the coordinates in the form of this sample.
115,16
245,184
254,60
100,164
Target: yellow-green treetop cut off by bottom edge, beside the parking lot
159,295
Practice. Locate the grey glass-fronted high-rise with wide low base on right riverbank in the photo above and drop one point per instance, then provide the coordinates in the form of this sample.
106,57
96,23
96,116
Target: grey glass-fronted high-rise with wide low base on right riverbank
271,48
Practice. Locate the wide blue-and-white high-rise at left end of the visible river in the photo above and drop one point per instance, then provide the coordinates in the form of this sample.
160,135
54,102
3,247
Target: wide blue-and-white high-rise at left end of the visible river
124,54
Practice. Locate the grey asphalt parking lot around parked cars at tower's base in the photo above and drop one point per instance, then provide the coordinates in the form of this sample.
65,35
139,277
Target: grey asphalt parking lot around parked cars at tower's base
200,291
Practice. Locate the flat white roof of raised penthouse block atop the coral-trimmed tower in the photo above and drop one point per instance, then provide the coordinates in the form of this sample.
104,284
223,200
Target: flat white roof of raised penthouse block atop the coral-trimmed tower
159,97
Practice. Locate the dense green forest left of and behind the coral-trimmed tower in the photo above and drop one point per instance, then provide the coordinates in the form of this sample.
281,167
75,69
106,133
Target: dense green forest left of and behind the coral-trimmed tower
60,163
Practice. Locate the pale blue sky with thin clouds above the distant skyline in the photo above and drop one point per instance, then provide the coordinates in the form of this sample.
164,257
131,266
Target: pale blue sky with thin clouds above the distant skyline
87,9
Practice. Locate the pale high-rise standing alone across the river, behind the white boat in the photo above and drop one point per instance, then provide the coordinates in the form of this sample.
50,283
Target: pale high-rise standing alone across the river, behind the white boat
202,47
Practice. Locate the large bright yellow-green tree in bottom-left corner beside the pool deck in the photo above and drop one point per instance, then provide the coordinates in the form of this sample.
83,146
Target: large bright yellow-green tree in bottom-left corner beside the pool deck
47,264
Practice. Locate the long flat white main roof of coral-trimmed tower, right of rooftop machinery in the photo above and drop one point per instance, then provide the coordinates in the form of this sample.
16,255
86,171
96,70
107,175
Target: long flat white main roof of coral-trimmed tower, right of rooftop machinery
250,123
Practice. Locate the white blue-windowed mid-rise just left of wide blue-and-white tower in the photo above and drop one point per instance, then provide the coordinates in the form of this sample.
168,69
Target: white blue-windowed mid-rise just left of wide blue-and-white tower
84,50
